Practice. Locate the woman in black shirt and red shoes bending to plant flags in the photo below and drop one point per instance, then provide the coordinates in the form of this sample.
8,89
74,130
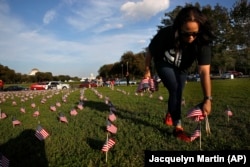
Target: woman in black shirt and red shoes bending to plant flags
174,49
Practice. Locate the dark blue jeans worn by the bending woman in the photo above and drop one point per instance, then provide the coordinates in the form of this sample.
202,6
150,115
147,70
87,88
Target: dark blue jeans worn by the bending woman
174,81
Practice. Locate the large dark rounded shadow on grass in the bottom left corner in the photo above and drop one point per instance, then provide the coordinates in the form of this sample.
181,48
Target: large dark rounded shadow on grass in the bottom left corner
25,150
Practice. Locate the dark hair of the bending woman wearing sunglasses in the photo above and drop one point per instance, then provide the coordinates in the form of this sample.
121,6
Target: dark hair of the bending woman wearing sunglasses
192,13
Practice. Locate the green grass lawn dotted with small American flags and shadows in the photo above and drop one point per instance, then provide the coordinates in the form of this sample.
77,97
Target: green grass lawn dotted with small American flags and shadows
139,122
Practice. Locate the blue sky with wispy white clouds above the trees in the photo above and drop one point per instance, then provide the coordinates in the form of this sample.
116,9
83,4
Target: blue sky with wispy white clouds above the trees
77,37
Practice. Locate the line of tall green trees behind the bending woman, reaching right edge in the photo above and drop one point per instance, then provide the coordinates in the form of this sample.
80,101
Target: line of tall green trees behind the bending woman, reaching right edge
230,49
